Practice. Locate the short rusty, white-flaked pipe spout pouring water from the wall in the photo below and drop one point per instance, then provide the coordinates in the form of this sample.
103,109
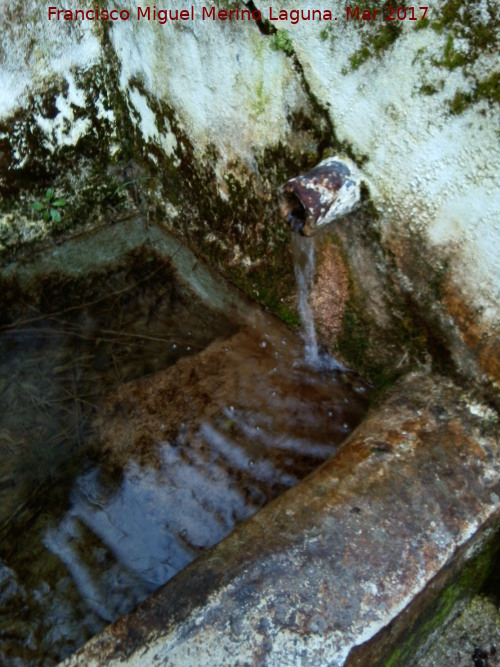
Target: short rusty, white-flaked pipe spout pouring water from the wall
322,195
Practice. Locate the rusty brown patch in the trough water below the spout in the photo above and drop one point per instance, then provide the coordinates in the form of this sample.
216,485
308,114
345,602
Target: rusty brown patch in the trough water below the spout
200,389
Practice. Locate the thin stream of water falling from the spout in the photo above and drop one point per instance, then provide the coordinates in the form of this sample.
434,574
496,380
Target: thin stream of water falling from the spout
304,265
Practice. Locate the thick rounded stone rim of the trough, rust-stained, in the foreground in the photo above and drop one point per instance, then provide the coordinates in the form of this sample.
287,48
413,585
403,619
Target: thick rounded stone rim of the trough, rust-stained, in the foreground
330,564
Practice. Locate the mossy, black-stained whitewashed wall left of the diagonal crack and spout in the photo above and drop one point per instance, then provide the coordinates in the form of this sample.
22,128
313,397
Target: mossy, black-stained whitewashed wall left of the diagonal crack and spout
194,127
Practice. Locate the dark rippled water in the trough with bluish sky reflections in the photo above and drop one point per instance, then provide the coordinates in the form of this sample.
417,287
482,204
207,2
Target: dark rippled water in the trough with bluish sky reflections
144,412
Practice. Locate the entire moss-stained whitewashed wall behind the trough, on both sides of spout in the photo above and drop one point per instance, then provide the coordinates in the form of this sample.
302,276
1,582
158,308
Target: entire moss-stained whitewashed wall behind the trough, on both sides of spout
196,123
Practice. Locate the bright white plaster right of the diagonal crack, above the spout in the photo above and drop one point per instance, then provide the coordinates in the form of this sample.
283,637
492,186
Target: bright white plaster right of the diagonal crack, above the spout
427,169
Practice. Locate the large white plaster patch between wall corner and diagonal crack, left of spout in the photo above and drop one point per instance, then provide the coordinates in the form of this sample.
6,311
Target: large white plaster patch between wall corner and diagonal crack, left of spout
225,83
